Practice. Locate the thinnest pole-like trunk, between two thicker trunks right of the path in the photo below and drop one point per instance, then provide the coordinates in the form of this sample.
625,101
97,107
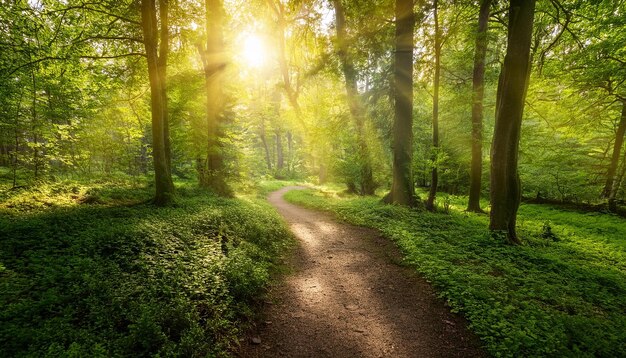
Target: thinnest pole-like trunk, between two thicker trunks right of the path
430,203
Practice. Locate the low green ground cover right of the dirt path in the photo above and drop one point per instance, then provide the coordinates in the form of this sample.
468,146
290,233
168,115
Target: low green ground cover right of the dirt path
553,296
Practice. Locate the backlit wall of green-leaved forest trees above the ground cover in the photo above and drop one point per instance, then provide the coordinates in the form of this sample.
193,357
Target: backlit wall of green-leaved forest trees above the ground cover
73,97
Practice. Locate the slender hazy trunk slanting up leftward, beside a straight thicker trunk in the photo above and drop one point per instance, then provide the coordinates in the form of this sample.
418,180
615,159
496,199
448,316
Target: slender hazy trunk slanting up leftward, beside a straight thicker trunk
366,182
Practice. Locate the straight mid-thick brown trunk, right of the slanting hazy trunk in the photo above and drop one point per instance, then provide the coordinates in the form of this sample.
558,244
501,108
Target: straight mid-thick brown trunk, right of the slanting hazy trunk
402,188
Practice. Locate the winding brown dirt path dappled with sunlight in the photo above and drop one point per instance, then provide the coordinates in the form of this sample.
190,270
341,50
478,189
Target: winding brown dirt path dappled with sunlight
348,297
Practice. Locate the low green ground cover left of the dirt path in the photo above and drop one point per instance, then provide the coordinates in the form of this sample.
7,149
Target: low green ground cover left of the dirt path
91,270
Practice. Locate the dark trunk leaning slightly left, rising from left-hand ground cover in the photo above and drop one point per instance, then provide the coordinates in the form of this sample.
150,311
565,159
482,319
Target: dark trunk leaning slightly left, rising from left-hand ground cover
163,178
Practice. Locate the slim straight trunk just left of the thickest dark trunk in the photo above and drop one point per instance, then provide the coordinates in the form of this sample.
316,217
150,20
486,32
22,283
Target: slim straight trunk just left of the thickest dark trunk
478,85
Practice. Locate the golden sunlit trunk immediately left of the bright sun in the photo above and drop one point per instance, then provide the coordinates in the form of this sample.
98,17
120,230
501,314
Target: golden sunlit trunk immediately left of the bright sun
214,61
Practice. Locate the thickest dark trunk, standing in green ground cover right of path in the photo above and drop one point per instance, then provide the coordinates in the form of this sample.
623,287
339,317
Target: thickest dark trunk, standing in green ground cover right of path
512,86
